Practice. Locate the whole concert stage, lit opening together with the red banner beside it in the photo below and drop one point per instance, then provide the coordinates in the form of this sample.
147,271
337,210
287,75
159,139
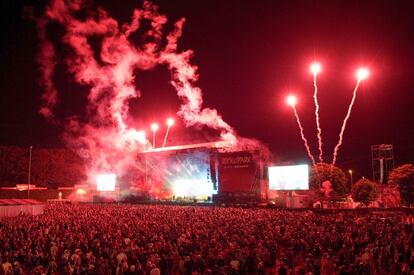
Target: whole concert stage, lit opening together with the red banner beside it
201,172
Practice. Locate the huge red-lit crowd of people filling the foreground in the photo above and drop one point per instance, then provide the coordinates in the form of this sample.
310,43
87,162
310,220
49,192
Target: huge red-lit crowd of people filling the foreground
144,239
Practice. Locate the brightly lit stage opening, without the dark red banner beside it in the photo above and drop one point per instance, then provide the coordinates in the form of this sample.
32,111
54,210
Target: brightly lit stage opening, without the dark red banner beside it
184,173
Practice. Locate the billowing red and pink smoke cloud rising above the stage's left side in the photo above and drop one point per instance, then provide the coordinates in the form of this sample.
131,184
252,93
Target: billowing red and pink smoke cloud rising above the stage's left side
105,139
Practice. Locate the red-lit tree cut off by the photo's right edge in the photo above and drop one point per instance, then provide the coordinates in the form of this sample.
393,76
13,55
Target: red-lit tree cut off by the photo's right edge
403,177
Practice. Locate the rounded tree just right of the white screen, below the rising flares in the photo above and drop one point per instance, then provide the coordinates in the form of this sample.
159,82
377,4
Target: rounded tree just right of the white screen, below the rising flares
324,176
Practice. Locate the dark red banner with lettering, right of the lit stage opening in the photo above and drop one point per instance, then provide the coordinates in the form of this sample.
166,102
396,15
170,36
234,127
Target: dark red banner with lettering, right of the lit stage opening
238,172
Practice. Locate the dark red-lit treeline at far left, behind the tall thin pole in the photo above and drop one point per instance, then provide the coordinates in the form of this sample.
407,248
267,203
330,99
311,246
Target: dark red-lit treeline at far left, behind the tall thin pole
50,168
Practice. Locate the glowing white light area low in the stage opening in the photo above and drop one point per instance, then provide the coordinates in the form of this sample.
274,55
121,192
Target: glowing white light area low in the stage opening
192,188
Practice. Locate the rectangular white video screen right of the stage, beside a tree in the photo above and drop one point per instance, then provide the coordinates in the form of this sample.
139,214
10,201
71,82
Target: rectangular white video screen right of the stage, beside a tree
293,177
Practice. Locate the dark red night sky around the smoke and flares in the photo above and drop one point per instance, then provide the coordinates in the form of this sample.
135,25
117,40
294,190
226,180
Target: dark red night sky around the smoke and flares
250,54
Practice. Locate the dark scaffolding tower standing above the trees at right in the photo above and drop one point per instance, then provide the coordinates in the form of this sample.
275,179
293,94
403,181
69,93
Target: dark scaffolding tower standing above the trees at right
382,161
